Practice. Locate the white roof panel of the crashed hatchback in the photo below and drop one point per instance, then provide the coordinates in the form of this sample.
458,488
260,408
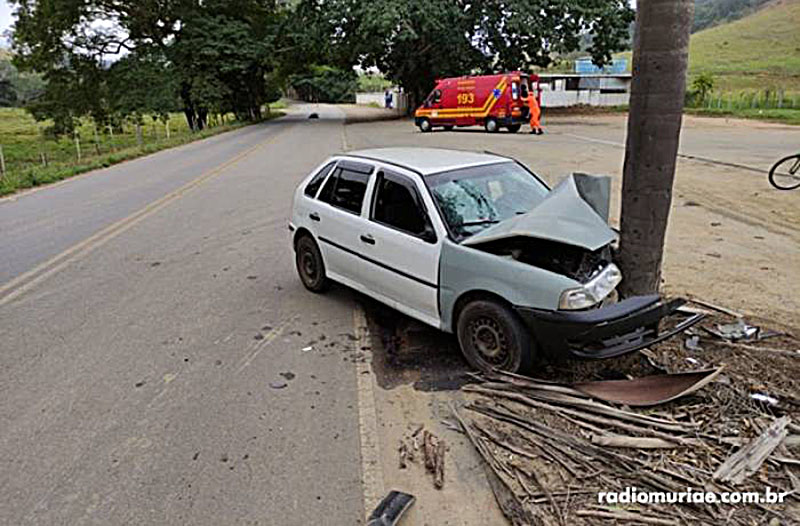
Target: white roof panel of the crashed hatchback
427,161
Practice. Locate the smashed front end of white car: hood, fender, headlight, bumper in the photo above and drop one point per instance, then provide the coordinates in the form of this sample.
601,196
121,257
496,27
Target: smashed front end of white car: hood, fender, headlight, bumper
571,310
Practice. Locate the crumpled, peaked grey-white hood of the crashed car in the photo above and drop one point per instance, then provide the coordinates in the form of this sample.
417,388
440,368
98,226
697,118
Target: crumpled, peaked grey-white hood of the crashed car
562,216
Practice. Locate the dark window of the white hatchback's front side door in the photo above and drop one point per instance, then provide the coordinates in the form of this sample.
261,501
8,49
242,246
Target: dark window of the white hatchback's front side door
397,204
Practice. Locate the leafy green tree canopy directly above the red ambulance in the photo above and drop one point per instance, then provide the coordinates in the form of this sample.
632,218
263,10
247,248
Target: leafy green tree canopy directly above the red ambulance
413,42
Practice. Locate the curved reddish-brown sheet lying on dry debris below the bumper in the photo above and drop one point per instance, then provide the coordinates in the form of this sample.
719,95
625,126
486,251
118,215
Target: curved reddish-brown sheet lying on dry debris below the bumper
649,390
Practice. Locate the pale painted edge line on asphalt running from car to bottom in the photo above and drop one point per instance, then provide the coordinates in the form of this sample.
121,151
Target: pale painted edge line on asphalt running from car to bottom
371,471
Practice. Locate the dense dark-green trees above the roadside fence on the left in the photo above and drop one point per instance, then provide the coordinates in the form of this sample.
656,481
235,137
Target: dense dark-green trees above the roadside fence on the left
215,52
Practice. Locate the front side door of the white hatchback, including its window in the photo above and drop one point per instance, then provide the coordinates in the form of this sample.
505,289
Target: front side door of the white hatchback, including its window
401,248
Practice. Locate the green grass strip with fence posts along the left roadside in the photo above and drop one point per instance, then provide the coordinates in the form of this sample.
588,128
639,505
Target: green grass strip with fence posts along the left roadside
33,160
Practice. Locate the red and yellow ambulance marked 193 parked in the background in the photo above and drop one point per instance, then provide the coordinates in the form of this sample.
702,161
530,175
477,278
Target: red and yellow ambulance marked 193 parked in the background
491,101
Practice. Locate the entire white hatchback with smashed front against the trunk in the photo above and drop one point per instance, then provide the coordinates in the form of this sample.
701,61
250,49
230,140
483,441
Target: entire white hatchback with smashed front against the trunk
478,245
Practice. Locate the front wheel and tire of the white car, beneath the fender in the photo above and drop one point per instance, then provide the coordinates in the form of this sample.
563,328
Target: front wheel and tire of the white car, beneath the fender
492,336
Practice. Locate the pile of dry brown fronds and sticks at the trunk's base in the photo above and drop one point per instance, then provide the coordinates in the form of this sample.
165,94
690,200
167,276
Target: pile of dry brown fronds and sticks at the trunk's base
663,421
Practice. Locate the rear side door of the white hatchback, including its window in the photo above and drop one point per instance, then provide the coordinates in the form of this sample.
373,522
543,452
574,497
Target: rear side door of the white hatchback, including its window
339,220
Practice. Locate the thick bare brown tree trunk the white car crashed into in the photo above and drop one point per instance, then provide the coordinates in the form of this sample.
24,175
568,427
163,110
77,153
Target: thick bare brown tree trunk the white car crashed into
660,59
